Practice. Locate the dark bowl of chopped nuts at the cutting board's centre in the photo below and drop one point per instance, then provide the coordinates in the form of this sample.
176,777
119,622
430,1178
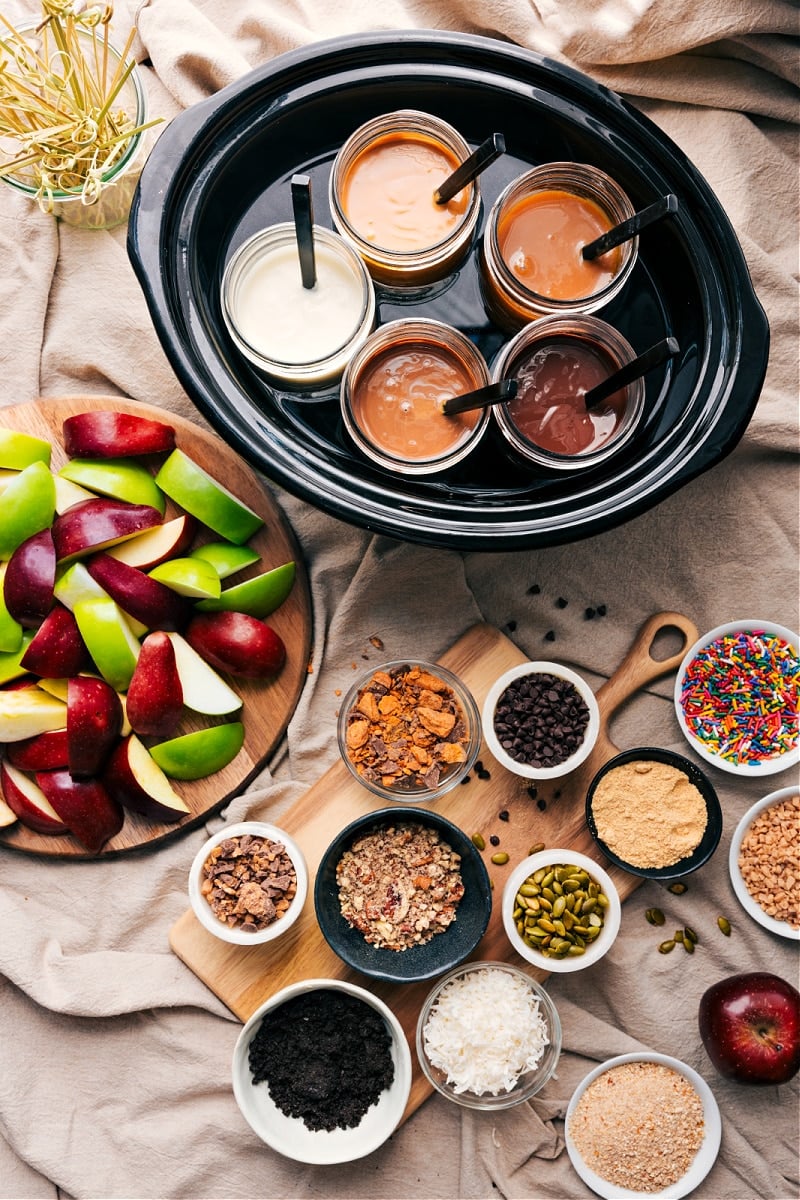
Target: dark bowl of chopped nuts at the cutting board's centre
402,896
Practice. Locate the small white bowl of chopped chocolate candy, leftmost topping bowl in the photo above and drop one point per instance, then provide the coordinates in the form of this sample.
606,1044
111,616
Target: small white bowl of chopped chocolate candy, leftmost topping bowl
249,884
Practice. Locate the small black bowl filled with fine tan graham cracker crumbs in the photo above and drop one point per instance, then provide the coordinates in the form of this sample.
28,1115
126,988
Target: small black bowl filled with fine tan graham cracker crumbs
654,813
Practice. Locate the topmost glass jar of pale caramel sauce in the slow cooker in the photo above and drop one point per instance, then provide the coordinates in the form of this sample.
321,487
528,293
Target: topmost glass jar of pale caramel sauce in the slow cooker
382,199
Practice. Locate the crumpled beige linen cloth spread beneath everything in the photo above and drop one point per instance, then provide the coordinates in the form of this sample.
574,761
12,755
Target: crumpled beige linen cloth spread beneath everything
115,1059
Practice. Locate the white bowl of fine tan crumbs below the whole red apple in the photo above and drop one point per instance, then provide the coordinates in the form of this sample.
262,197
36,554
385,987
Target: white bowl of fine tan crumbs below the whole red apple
643,1125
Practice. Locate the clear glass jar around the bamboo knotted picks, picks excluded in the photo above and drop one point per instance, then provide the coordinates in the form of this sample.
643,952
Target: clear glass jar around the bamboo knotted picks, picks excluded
109,202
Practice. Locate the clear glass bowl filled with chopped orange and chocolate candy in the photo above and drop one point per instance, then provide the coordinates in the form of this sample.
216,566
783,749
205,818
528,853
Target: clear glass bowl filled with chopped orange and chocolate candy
410,731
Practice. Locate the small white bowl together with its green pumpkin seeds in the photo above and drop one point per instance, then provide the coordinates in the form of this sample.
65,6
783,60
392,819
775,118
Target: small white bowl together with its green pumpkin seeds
561,910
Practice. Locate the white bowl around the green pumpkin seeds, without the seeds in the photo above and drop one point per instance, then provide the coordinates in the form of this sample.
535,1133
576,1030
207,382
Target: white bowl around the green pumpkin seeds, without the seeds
596,950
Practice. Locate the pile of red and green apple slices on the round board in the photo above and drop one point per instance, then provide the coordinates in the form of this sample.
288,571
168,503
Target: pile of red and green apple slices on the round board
116,619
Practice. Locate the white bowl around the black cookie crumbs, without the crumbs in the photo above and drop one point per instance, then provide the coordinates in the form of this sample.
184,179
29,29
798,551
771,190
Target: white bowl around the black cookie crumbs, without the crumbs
290,1136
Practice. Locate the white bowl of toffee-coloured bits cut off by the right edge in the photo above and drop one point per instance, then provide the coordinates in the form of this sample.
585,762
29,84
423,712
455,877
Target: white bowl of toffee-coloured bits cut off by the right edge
765,862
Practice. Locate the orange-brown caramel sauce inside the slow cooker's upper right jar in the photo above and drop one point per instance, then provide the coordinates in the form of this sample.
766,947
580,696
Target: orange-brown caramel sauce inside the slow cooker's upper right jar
542,238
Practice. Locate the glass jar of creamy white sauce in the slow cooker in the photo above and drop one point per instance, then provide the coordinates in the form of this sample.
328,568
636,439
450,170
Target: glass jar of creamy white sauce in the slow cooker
299,337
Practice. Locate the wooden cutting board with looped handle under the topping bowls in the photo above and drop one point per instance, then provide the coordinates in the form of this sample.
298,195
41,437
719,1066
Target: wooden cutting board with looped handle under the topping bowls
245,977
